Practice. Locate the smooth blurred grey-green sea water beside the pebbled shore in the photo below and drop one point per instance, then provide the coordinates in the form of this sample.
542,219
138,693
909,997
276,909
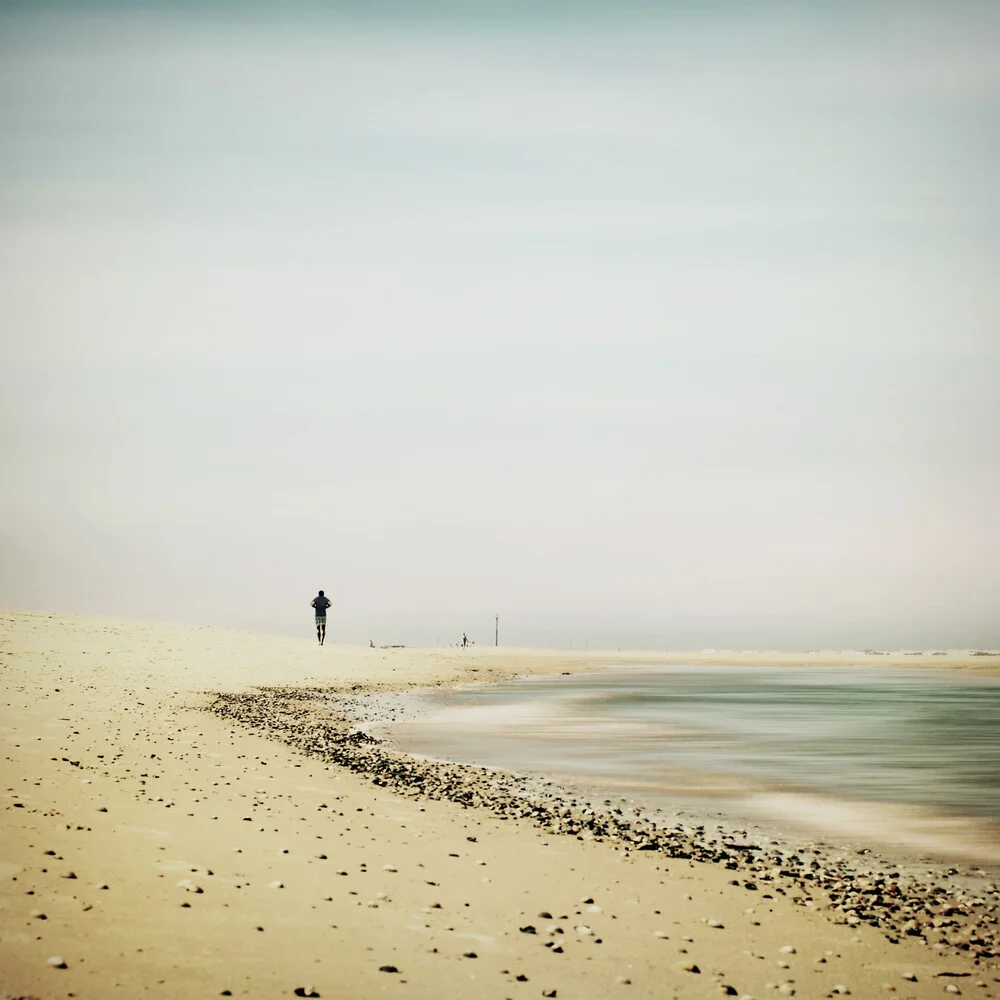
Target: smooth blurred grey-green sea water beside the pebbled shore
896,759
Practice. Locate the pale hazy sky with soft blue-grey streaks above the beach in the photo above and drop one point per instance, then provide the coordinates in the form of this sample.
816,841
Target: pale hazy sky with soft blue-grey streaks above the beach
671,325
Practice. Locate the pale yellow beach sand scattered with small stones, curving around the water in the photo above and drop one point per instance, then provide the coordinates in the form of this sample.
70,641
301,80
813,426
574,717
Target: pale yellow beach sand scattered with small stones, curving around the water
151,846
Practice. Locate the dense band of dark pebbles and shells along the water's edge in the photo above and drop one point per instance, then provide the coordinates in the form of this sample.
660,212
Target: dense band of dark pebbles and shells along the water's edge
828,879
